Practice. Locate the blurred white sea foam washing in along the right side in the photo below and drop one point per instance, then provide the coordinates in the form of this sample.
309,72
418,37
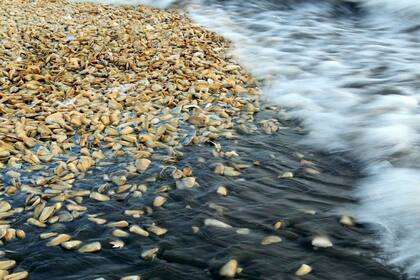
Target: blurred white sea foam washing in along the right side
353,83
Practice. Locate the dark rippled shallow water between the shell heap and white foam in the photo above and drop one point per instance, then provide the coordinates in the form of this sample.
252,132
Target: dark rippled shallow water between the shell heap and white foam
257,199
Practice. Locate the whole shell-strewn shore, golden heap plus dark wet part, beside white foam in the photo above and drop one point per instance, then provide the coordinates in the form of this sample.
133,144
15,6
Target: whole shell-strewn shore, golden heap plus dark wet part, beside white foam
156,207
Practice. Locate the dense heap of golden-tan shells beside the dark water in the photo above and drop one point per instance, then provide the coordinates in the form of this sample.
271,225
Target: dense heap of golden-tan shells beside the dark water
82,82
